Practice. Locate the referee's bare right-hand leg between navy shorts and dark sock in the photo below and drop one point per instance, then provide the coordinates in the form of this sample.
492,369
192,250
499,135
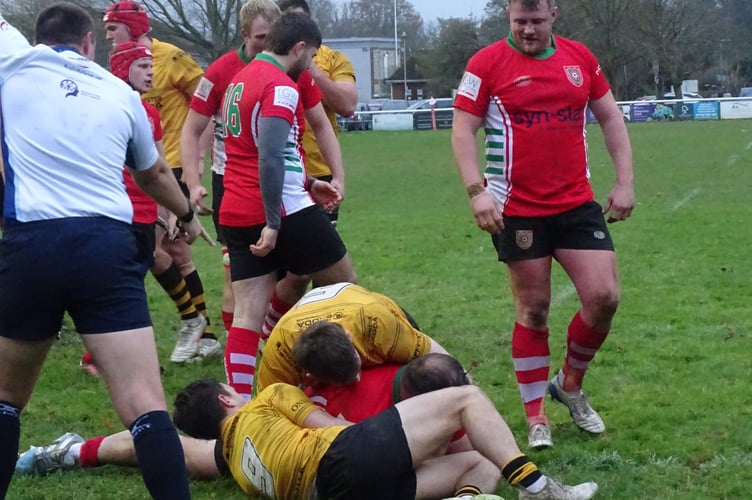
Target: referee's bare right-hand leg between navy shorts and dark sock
129,365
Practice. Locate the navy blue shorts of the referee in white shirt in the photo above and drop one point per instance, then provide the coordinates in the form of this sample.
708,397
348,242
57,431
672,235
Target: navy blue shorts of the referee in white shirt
91,267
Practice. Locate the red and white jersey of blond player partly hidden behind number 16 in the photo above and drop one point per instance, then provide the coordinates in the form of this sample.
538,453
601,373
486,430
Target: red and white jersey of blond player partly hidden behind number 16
207,99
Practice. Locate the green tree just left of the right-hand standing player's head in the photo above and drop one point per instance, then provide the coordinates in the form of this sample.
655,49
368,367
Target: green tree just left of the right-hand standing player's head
444,63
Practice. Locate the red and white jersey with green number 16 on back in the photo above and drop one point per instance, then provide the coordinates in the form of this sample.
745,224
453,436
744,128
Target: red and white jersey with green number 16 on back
262,89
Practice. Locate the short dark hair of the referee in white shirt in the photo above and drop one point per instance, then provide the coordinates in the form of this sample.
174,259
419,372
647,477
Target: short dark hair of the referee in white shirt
63,24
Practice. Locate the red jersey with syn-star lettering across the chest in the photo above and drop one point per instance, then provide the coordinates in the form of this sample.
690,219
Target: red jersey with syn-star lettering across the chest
533,111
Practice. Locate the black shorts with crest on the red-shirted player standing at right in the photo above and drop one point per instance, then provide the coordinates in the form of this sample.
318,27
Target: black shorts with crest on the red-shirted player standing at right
582,228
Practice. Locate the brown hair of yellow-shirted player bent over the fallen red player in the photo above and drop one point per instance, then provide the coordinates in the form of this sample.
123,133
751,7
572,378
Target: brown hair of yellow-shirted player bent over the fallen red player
326,352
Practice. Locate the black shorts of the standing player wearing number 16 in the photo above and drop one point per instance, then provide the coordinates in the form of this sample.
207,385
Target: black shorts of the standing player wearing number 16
307,242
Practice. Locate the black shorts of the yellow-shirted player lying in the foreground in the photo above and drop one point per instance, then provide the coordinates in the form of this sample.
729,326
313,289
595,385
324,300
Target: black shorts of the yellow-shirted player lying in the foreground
368,461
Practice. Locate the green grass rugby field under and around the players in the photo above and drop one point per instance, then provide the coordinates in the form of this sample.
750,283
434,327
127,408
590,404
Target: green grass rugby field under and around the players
670,382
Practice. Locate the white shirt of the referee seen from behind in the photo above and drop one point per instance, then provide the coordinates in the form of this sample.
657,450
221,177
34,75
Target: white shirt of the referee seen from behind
67,127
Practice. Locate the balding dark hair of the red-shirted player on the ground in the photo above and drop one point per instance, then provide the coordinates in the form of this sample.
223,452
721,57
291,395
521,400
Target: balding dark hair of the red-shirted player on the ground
432,372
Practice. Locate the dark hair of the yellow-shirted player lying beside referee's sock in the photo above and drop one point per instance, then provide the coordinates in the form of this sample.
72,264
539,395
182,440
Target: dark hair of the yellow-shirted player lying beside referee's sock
198,412
